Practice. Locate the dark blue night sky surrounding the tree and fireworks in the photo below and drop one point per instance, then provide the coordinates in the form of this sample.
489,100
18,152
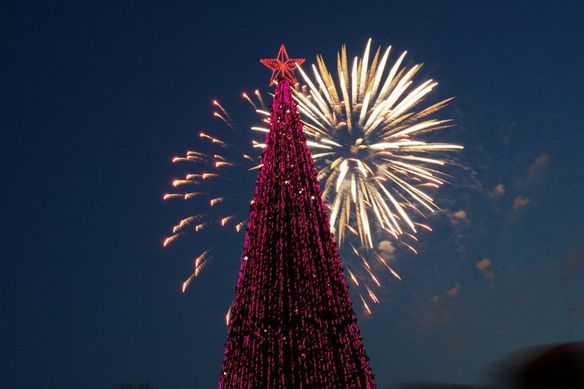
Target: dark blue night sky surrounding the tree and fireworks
98,96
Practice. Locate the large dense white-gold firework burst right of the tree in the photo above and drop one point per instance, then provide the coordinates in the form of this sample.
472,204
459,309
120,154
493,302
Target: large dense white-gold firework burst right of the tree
374,161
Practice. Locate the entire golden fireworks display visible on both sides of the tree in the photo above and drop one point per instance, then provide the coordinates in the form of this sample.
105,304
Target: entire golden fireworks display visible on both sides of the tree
368,129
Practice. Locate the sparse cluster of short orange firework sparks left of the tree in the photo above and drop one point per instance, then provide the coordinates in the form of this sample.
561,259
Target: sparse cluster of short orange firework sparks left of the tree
212,174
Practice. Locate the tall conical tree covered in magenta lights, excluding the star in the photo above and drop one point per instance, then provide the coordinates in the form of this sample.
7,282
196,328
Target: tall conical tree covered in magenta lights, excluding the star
292,324
